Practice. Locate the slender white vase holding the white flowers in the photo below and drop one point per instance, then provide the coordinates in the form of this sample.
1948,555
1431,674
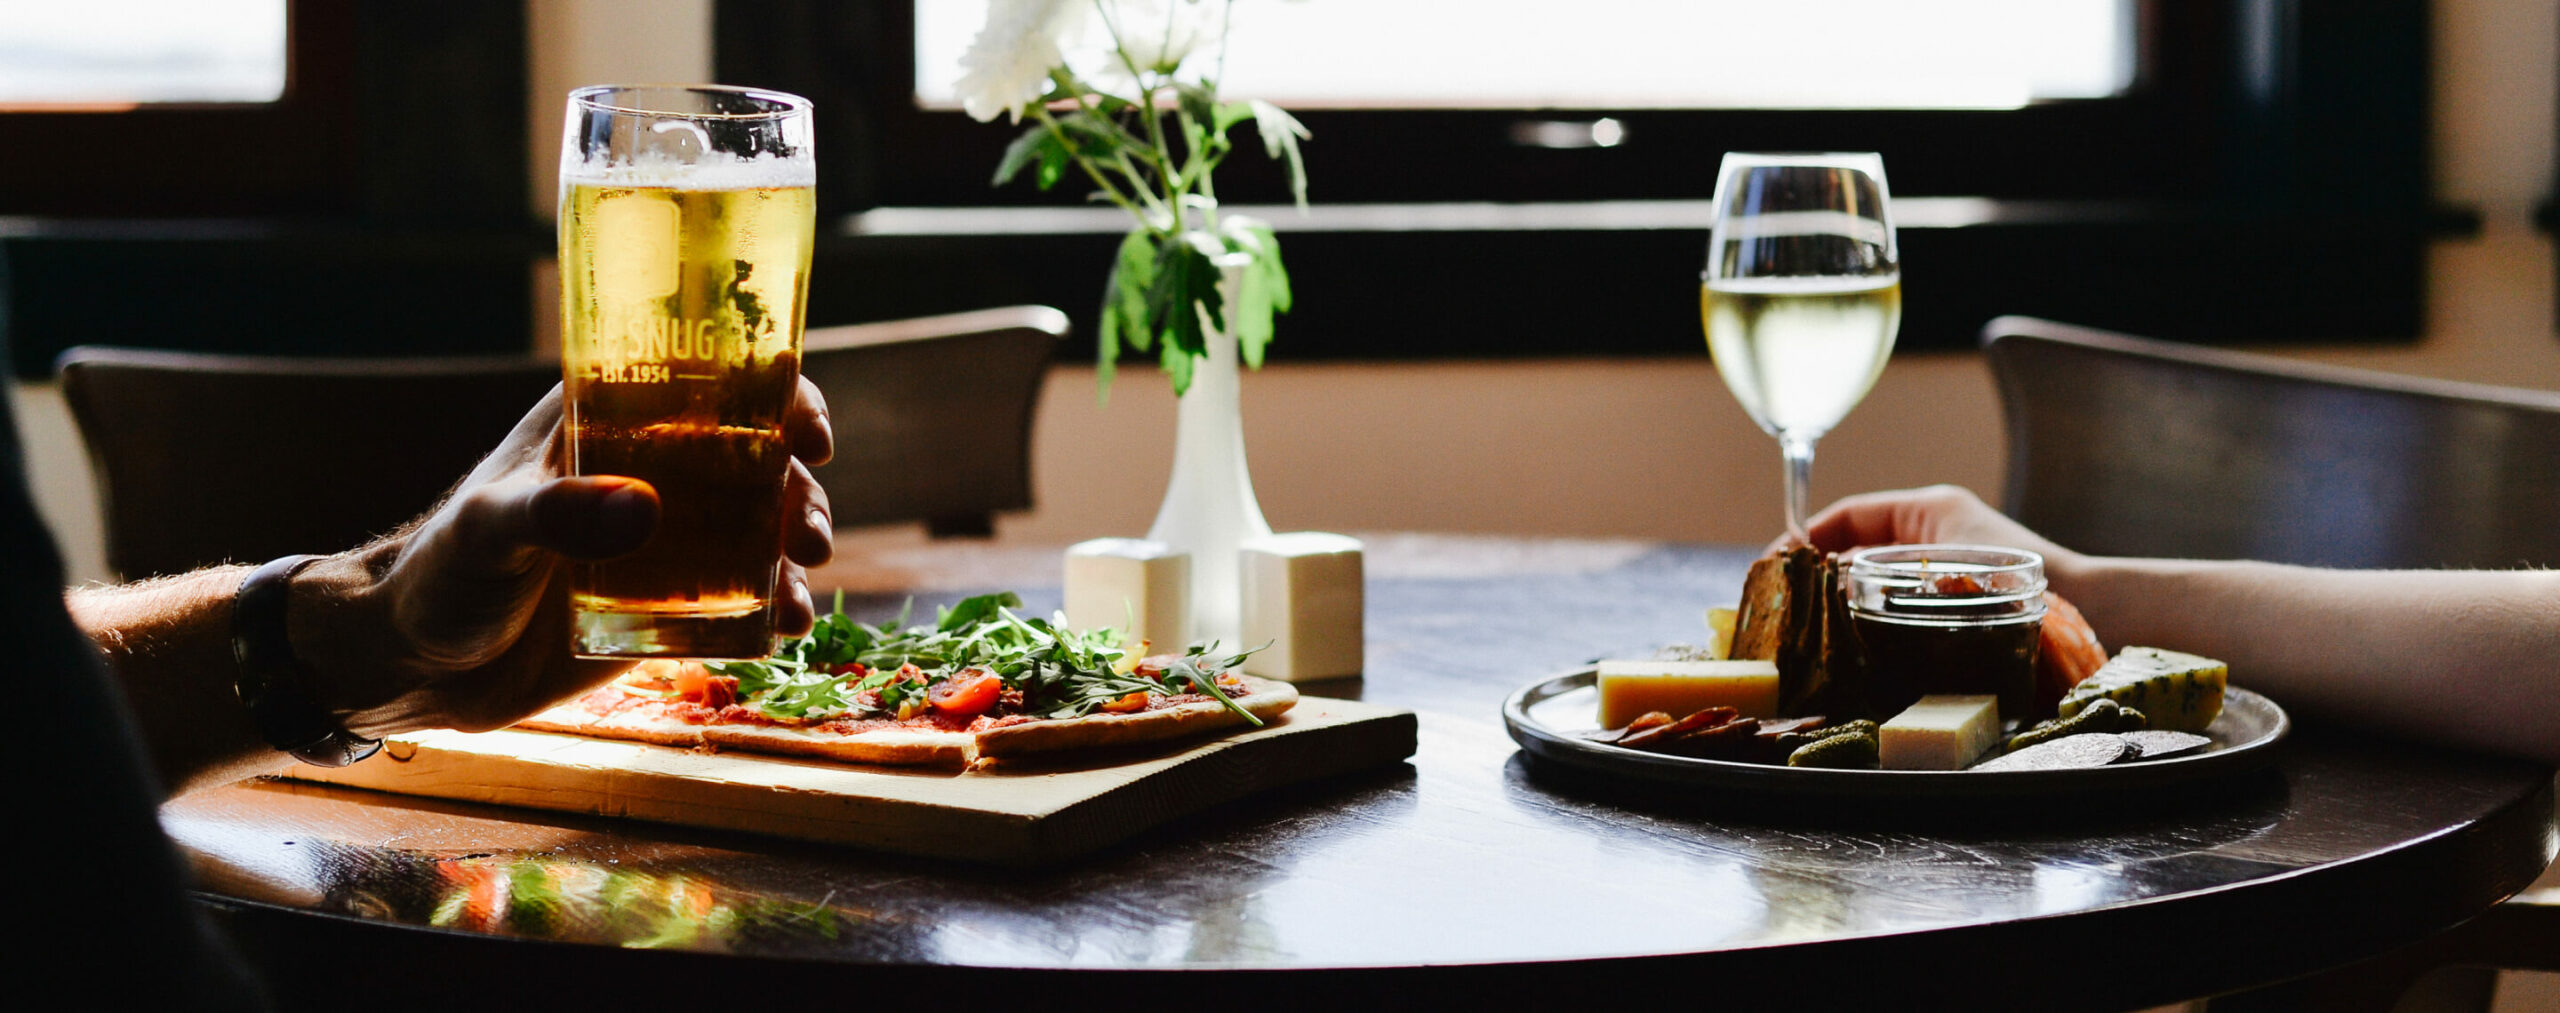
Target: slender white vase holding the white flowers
1210,503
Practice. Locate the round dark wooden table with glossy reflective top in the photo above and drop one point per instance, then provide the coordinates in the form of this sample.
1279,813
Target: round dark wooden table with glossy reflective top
1463,874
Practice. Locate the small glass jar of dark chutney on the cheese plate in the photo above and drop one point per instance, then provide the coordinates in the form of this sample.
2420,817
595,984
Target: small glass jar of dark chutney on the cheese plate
1947,620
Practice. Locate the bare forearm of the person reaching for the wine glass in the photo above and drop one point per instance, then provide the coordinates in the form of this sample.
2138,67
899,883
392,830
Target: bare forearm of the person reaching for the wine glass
2446,656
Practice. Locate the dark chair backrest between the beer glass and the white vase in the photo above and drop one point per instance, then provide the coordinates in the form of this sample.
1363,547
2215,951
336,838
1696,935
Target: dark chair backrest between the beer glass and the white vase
933,416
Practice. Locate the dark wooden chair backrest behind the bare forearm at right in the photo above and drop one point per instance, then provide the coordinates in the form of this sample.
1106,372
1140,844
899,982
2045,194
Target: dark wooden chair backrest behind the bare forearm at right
2136,446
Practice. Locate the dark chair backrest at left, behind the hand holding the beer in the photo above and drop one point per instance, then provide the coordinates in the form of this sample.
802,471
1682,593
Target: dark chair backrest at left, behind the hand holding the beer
206,459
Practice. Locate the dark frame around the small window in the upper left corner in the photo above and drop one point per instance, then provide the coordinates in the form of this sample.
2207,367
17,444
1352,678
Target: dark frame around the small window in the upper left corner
375,211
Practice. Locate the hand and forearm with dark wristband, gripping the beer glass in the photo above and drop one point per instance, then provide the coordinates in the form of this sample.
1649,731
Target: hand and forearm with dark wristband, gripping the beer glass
457,620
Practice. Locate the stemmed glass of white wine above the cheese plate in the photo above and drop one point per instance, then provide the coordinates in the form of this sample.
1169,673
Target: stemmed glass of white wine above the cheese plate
1801,295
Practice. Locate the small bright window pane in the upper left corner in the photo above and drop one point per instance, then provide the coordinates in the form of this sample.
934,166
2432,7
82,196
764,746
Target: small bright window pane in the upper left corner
134,52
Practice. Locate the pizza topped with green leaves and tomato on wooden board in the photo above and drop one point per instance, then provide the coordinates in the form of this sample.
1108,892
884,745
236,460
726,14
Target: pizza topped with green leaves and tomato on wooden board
982,684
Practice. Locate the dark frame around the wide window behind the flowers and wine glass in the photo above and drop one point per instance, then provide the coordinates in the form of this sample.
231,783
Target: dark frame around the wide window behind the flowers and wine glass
2264,180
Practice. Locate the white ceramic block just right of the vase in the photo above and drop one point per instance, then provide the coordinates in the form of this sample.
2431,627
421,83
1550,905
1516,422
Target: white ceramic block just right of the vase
1304,597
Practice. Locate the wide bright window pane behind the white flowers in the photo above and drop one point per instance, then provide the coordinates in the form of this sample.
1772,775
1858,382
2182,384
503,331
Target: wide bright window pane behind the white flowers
1640,55
